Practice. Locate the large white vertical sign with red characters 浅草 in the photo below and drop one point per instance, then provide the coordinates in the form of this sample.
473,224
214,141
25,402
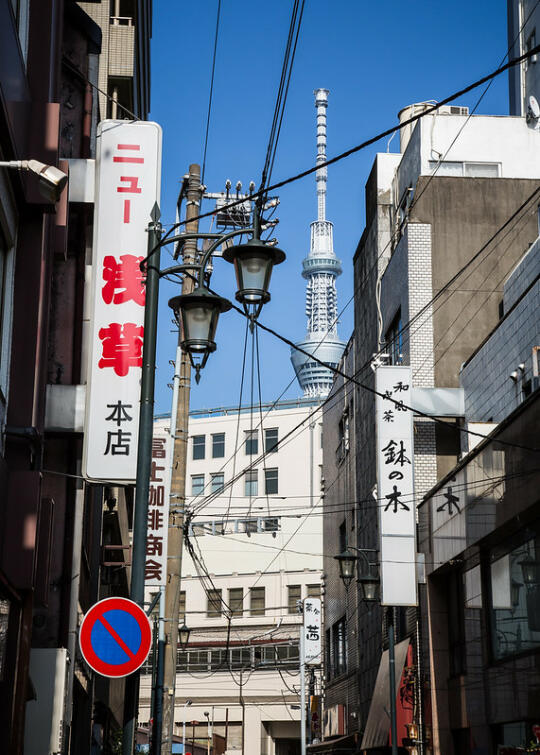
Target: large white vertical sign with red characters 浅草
128,175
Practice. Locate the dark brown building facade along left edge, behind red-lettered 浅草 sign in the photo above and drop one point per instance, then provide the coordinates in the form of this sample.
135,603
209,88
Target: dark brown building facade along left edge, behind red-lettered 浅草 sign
63,544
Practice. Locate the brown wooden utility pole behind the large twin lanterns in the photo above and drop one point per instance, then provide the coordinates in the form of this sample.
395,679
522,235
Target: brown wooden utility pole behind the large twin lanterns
178,479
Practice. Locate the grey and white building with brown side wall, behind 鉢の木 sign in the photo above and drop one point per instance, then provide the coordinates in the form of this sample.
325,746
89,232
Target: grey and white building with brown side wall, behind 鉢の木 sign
461,191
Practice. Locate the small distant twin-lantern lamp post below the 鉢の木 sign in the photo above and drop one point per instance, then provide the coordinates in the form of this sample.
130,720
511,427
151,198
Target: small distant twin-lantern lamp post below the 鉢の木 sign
369,583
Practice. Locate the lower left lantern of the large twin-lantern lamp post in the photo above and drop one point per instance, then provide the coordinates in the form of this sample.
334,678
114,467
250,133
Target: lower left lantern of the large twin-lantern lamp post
198,313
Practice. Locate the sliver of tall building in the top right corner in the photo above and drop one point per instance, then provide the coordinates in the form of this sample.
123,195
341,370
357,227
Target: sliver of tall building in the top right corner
523,35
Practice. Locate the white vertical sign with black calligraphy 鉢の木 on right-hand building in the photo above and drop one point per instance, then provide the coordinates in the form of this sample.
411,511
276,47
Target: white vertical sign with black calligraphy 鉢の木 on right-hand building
395,475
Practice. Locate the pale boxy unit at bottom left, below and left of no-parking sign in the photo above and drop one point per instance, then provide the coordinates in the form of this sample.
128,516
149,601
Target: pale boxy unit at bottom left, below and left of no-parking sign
44,724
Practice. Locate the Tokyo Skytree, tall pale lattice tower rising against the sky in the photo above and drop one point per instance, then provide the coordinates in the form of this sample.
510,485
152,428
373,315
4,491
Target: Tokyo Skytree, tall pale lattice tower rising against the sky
320,268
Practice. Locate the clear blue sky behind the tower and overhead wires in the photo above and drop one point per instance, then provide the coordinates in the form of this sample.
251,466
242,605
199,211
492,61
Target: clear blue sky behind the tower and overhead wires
375,58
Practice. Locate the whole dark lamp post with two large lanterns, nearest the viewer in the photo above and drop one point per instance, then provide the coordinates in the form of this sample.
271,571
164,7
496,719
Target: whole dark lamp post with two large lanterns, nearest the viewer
197,314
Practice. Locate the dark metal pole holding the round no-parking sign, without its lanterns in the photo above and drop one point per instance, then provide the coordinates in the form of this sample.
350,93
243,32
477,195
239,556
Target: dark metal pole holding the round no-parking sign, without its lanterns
144,461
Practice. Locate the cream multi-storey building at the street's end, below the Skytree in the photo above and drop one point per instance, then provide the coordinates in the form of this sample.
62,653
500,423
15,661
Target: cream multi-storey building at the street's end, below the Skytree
254,494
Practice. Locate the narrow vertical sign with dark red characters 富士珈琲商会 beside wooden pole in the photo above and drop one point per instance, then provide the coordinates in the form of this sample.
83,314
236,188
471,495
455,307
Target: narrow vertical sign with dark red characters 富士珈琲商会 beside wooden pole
158,511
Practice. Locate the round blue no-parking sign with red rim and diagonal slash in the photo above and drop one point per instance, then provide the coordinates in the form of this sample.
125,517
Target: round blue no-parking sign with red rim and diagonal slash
115,637
